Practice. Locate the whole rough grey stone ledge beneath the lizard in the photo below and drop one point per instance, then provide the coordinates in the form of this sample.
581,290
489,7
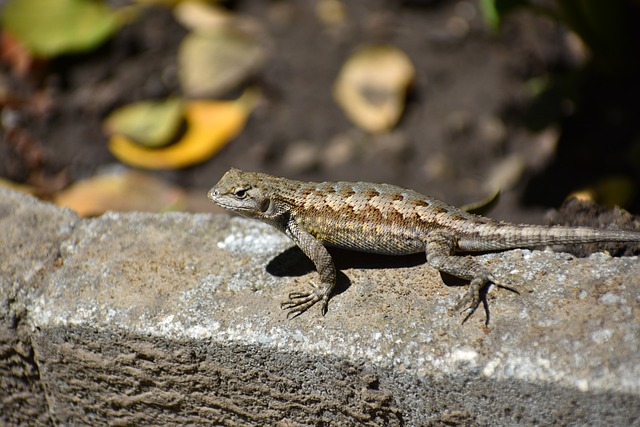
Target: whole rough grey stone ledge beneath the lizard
140,319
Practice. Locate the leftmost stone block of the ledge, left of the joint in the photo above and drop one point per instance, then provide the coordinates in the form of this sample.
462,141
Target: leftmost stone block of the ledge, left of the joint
30,234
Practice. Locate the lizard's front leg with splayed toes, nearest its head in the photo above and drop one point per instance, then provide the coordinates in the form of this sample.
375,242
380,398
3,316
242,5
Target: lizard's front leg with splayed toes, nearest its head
299,302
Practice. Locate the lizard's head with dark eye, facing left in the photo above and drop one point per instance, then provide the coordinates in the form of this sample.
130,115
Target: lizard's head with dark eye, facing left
242,192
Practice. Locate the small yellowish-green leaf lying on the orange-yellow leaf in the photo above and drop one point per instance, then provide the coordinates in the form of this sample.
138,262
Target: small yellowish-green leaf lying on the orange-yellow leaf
149,123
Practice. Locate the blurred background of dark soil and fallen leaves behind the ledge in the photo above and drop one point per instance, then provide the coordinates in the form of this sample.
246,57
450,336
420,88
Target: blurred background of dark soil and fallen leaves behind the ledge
143,105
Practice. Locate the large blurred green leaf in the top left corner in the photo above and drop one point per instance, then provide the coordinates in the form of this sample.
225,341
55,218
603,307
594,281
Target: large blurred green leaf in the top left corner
53,27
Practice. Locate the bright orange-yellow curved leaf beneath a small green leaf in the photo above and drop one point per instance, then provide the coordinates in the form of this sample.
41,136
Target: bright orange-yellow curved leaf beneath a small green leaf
210,125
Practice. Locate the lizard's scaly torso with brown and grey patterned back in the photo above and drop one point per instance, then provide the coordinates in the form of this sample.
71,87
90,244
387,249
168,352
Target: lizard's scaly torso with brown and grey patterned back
376,218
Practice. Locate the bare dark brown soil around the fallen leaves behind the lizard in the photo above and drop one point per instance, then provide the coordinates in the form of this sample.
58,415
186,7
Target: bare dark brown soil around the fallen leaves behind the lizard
462,133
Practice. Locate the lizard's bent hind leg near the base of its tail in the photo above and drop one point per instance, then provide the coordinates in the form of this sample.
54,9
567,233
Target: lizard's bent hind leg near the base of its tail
440,250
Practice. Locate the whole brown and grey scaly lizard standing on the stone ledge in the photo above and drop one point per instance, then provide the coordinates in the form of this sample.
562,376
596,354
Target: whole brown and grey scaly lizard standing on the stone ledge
385,219
